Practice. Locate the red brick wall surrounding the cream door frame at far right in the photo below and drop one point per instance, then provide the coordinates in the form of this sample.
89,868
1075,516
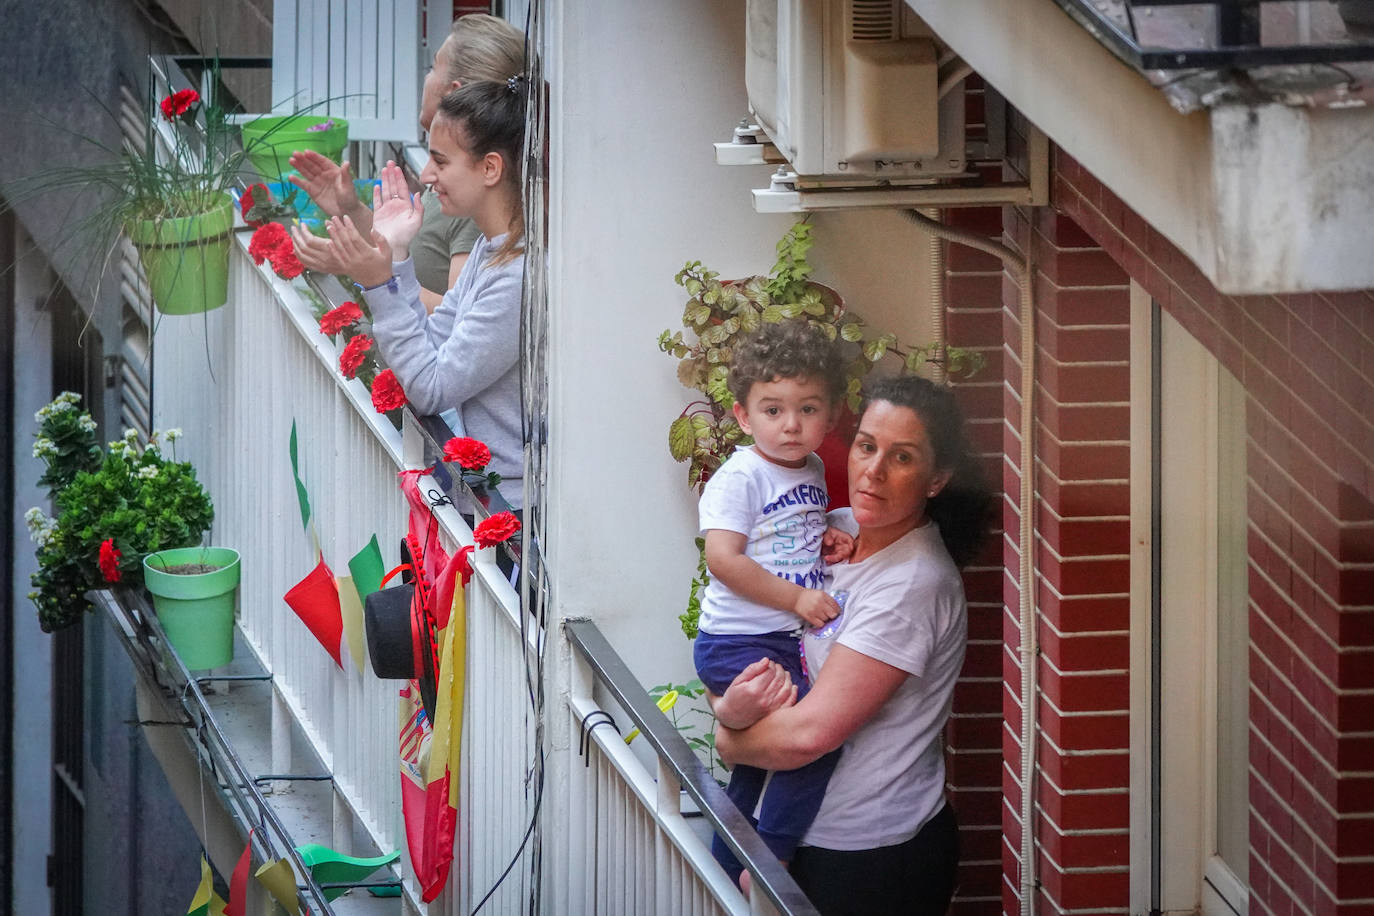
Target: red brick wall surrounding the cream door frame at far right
1307,365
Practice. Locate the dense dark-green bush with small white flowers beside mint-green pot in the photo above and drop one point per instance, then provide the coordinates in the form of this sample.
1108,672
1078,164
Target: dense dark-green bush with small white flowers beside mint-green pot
112,509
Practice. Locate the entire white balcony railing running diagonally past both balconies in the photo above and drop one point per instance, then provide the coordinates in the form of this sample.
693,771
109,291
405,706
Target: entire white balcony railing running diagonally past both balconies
237,380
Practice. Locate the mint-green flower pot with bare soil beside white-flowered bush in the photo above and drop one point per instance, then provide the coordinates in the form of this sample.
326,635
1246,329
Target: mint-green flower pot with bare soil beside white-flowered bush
196,610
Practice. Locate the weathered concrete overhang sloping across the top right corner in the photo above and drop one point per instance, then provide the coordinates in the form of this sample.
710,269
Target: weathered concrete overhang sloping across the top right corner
1263,197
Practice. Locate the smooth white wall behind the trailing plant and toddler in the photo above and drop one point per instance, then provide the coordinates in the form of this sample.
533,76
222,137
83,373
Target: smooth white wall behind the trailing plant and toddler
641,90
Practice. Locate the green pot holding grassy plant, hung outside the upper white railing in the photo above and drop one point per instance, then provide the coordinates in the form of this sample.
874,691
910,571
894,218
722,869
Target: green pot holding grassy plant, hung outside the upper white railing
188,259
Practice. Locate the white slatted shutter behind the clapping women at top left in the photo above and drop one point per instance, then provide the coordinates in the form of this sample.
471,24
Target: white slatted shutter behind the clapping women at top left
359,60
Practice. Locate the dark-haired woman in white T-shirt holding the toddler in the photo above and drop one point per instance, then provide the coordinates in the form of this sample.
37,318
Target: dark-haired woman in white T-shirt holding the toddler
884,840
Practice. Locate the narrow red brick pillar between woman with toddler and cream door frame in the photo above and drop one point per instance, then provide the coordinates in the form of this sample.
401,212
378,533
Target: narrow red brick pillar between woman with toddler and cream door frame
1081,546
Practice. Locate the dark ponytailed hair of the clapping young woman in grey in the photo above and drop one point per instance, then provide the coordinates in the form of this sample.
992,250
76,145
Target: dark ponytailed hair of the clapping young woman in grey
490,117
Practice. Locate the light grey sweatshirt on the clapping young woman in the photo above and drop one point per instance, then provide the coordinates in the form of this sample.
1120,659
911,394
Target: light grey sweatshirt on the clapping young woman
466,355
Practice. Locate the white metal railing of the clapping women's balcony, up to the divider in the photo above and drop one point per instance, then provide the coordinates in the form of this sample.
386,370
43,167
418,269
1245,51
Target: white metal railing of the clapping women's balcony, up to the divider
236,380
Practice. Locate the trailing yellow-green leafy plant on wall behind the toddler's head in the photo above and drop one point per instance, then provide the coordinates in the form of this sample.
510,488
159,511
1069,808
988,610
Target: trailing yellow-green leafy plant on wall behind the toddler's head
721,312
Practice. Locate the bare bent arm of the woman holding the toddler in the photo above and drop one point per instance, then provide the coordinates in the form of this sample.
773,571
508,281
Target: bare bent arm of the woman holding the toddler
850,691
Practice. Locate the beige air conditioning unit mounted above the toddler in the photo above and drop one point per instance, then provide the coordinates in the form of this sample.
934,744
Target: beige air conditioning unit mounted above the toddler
850,90
